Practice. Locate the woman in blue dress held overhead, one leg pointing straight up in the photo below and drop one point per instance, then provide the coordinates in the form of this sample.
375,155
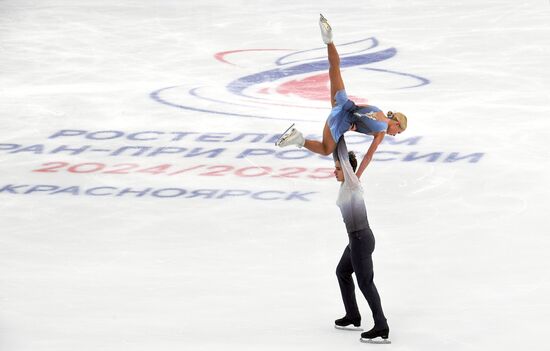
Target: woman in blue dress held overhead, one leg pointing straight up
345,115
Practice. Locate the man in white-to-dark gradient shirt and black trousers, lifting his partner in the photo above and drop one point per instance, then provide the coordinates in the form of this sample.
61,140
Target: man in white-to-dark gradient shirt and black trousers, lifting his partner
357,256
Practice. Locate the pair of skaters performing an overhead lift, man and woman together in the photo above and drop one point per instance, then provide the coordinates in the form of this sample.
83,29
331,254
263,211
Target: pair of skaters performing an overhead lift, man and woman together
357,256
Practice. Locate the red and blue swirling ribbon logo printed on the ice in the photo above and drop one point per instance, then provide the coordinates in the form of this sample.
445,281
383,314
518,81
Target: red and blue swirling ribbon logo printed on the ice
297,79
